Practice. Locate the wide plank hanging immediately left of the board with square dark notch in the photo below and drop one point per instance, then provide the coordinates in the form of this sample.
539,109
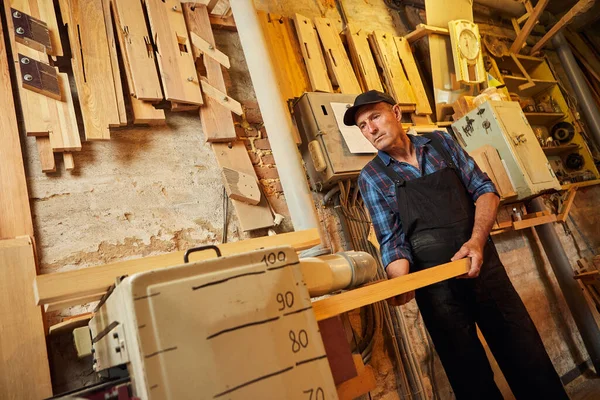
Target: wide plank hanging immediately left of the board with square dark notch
136,50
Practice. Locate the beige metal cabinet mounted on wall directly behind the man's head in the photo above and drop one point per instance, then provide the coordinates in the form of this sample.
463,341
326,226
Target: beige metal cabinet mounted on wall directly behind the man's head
324,151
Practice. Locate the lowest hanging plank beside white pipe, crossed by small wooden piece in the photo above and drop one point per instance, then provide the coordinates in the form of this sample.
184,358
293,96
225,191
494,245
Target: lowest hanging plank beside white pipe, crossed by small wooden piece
236,157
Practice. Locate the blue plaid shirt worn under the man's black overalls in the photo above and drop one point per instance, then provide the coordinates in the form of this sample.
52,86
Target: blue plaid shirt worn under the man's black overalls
379,192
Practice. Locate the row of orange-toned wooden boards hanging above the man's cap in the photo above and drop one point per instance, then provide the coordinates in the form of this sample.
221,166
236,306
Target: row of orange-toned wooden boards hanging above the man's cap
374,61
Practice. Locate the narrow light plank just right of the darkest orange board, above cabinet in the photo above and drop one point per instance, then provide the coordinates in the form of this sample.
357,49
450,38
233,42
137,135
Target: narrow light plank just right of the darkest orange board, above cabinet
311,52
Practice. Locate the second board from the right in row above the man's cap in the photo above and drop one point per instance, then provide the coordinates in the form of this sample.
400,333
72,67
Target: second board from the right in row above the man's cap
396,82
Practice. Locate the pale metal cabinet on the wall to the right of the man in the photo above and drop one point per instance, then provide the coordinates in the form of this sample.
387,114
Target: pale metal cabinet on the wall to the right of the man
503,125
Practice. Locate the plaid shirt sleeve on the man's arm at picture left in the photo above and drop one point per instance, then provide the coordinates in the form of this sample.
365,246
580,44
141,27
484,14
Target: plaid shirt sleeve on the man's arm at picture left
386,222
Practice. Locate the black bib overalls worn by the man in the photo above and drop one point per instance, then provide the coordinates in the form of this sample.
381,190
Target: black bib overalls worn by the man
437,215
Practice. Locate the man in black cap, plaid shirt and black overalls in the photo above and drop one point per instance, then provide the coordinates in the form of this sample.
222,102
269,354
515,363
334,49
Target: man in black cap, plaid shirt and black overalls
430,204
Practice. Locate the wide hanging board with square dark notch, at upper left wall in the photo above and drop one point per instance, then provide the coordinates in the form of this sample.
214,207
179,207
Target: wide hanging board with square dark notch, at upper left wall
173,51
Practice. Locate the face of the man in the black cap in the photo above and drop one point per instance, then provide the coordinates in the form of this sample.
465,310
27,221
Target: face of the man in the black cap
380,124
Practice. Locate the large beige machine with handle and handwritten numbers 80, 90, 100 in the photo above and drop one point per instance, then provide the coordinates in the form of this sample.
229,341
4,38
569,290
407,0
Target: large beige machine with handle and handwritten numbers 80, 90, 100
234,327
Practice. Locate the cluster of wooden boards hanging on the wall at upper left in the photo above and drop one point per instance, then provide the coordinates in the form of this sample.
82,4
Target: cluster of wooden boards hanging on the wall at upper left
128,61
